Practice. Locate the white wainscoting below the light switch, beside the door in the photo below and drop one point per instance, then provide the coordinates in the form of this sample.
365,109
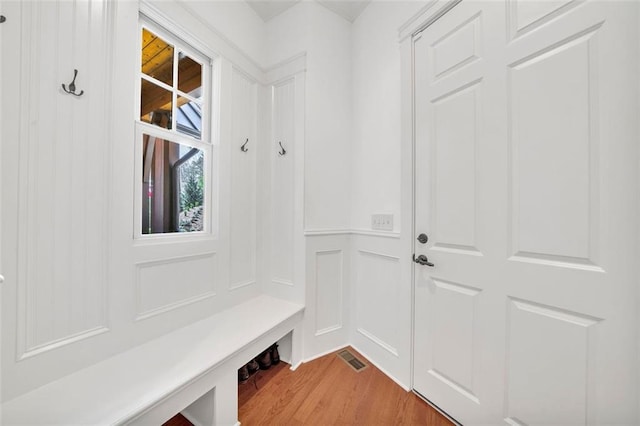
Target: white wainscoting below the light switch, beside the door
380,312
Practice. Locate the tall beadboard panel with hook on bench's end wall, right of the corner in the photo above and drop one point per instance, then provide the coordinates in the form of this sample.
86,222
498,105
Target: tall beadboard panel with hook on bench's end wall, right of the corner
282,204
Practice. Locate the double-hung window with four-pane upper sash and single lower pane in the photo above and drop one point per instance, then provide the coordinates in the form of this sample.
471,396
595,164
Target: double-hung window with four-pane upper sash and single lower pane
173,135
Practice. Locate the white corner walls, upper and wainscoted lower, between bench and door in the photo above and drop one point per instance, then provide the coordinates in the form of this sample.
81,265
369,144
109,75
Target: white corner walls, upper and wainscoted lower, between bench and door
358,286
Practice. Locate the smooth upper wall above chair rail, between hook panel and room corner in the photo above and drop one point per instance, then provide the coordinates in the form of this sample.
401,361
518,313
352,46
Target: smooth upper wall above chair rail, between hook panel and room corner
326,39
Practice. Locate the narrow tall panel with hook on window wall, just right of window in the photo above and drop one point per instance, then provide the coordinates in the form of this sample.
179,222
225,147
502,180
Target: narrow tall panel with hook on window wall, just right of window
243,182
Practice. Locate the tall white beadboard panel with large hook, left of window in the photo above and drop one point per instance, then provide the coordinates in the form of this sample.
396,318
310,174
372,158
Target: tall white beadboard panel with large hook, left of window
63,174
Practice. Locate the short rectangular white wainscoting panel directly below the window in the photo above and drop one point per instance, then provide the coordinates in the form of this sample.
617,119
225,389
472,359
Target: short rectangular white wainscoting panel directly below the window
168,284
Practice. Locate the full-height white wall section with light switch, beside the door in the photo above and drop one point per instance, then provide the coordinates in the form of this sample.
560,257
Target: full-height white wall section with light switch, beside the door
381,293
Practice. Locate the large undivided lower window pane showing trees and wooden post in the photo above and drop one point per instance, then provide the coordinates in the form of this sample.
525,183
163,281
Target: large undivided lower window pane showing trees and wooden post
172,187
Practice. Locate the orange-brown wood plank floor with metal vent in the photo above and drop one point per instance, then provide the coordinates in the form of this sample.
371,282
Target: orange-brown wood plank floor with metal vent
327,391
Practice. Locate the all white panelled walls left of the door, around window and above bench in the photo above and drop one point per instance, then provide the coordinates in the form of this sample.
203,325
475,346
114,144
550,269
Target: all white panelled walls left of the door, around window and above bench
98,291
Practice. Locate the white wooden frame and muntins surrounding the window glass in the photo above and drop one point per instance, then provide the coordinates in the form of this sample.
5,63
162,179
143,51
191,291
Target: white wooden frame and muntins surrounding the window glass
206,143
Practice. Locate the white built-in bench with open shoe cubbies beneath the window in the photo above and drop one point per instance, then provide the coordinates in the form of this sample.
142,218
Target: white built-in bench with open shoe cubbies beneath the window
191,370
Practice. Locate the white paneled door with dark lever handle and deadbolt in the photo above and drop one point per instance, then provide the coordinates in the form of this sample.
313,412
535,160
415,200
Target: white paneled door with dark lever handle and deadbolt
526,185
